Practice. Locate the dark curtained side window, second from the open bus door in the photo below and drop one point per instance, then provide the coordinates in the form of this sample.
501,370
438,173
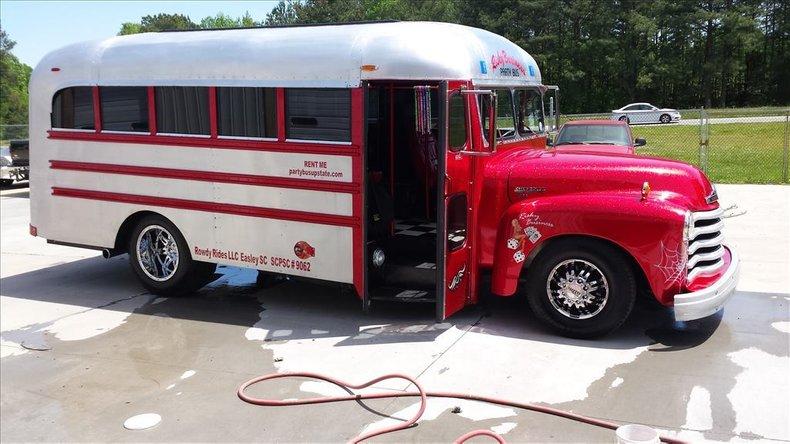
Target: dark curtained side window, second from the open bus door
246,112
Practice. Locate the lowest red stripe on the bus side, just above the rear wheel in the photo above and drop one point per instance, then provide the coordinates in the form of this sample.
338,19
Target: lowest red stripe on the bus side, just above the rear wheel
210,207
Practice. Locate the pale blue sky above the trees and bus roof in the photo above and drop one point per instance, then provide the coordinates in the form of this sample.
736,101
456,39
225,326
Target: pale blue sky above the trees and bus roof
39,27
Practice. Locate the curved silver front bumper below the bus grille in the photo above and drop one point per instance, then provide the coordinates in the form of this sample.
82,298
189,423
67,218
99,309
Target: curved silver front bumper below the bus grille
707,301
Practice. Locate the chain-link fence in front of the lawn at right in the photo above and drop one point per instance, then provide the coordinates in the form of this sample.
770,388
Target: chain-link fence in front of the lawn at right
747,145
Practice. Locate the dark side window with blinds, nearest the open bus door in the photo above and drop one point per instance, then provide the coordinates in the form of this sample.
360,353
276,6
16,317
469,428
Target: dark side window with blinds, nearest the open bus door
318,114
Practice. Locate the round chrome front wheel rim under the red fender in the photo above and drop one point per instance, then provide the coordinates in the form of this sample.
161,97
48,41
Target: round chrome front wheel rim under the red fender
577,289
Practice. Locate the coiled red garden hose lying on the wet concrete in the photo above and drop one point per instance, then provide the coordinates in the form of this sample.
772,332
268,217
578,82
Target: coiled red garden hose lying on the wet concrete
423,402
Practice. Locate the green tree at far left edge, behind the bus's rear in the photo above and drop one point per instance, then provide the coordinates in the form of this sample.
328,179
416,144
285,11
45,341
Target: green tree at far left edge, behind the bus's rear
14,77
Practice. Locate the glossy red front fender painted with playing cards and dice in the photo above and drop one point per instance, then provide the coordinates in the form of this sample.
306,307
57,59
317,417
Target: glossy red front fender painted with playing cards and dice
650,231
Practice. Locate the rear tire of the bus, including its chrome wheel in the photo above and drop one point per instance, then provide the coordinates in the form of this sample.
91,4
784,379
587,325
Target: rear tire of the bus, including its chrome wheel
159,256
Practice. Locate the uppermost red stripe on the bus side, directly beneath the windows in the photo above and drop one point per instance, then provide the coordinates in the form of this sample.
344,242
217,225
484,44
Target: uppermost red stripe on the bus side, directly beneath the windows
207,142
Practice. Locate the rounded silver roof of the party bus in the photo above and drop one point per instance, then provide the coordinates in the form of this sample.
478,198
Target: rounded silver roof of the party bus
304,56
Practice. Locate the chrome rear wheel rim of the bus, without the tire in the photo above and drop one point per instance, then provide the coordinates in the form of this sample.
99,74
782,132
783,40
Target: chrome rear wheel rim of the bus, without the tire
157,253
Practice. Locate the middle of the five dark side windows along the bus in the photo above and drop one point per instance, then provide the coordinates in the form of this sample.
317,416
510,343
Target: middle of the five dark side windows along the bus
182,110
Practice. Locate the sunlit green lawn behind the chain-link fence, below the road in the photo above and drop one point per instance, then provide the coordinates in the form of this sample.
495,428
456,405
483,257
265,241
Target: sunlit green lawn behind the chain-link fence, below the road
737,152
